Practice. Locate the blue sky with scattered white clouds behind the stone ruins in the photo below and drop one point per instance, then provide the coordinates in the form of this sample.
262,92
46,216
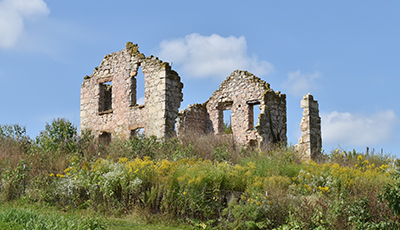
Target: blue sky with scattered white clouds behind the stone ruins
345,53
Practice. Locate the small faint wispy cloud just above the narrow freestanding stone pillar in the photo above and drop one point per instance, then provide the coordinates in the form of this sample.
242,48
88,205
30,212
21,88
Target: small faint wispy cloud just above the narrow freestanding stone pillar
299,84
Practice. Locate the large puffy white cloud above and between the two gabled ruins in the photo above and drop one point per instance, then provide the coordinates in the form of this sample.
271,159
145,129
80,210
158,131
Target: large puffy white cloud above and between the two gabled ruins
205,56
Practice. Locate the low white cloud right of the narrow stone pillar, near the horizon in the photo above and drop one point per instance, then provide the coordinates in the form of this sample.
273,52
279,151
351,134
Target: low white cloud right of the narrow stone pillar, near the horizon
356,129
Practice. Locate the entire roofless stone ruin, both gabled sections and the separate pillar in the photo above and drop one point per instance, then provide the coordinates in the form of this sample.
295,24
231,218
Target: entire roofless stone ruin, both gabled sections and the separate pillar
109,105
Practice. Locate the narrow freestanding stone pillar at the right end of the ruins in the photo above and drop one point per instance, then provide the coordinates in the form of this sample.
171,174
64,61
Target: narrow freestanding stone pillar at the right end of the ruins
310,143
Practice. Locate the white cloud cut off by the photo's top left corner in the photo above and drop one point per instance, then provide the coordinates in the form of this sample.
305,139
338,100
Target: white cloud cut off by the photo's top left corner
12,16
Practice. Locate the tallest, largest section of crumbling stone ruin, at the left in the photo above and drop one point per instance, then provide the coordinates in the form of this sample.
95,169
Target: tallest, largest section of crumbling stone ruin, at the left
109,96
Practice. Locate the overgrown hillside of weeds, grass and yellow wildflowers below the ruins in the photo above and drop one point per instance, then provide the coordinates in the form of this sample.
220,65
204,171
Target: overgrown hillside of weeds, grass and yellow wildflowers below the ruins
61,180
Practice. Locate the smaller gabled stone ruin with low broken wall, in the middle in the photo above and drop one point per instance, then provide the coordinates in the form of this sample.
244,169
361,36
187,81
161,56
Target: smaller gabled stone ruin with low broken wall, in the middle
241,93
